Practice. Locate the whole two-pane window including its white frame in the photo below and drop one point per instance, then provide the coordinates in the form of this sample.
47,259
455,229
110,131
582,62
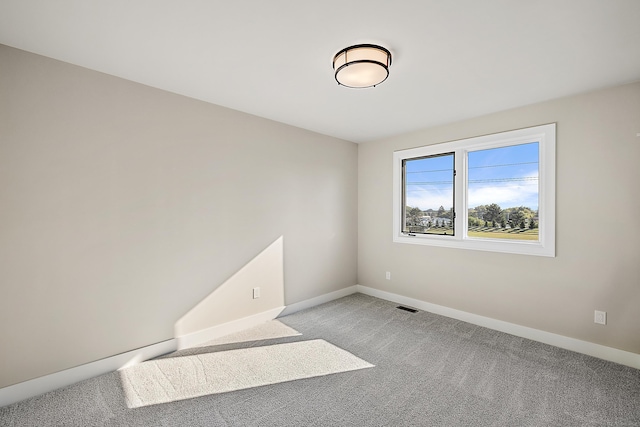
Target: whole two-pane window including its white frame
493,193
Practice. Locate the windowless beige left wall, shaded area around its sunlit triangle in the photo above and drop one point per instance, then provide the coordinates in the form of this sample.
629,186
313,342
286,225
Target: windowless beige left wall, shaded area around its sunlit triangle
122,207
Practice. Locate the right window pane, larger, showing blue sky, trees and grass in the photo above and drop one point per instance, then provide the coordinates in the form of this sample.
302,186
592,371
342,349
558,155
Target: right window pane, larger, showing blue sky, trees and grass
503,192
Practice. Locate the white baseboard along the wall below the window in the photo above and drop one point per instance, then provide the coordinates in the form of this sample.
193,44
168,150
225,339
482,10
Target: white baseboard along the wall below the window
596,350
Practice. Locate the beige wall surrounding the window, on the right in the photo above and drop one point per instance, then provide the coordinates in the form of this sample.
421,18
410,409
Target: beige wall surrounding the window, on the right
597,221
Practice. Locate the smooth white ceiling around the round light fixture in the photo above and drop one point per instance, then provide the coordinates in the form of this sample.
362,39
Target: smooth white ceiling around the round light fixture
452,59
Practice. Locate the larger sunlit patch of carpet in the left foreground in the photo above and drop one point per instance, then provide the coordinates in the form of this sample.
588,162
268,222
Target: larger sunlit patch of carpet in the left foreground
178,378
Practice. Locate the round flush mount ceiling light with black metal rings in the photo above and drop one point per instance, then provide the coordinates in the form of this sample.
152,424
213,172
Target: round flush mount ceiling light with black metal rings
362,65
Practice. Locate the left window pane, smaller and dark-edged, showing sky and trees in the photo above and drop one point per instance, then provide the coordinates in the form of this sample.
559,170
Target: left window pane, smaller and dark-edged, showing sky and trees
428,195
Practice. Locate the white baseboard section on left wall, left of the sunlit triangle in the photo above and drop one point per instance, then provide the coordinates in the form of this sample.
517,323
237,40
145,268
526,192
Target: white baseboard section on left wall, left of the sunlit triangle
44,384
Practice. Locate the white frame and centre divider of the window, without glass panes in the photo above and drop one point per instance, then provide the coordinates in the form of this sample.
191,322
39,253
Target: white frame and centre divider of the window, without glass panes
545,135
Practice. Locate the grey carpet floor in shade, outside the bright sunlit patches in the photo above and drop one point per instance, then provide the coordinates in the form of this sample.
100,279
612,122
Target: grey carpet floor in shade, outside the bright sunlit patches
428,370
